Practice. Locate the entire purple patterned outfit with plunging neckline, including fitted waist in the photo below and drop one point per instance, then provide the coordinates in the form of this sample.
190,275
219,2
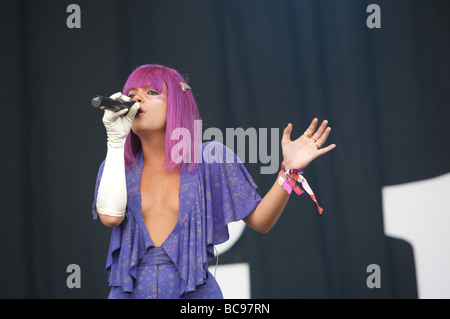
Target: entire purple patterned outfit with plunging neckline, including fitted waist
218,192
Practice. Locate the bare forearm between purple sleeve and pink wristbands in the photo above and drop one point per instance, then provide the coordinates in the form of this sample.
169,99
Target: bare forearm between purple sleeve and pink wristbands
266,214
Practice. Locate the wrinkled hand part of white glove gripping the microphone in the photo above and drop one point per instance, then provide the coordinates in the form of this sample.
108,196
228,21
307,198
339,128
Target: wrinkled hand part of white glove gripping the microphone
118,126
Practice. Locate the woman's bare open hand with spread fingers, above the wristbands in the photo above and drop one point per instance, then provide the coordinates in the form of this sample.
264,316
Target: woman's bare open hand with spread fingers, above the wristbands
299,153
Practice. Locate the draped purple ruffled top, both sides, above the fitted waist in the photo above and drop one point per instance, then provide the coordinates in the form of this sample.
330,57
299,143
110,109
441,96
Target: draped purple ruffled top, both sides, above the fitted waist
218,192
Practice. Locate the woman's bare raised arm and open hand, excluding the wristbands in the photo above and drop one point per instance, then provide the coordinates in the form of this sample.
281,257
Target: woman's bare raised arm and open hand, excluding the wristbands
297,154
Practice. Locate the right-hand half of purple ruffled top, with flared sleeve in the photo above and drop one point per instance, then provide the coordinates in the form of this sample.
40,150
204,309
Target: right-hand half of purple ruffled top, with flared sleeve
219,192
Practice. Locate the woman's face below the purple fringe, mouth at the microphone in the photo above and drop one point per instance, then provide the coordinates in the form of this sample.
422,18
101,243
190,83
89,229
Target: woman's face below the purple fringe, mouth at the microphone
153,116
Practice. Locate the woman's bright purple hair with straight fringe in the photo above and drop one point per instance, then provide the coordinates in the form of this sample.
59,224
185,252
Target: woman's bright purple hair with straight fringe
182,111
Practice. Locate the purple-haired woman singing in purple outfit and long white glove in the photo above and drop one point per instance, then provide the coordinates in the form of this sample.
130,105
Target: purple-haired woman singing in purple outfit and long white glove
167,209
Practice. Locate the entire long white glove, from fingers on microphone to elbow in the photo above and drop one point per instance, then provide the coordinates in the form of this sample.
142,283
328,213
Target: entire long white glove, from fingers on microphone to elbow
112,191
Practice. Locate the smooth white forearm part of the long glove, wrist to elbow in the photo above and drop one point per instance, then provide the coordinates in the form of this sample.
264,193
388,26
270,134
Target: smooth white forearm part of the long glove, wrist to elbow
112,191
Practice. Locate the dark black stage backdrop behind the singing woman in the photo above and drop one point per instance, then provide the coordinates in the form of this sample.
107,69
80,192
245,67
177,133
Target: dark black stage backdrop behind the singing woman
256,64
